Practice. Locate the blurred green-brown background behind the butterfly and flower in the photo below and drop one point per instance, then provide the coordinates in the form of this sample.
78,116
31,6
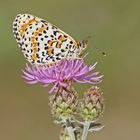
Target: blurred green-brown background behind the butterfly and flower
114,27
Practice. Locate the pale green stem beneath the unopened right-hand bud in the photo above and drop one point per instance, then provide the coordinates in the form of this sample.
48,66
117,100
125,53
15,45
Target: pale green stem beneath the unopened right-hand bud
85,130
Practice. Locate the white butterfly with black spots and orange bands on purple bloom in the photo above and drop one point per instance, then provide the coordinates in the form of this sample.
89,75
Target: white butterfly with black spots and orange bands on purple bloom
42,43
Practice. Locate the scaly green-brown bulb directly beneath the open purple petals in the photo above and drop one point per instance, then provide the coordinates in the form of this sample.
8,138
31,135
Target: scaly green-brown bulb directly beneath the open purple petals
64,104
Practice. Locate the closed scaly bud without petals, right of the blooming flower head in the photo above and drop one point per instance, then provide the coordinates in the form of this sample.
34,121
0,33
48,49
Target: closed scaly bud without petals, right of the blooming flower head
92,105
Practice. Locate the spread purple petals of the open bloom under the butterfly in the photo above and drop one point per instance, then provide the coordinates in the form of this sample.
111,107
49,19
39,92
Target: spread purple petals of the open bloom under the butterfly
61,74
